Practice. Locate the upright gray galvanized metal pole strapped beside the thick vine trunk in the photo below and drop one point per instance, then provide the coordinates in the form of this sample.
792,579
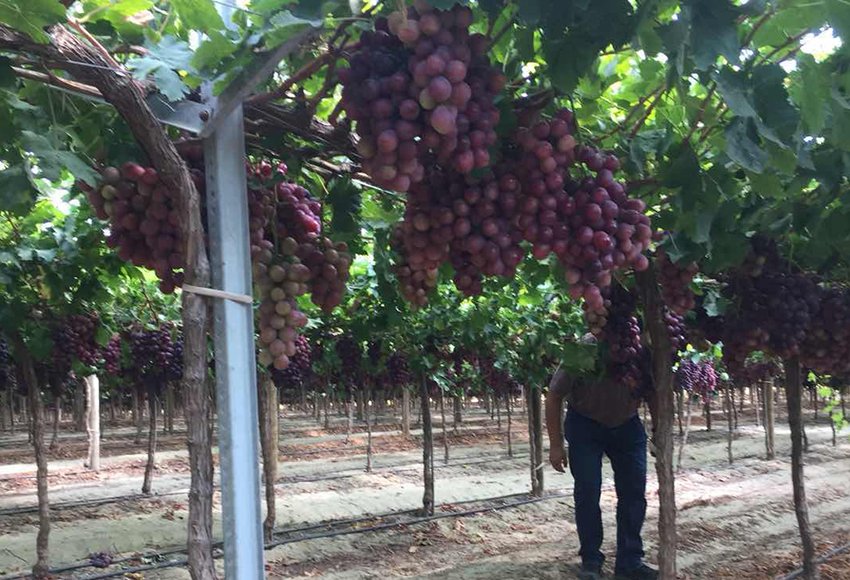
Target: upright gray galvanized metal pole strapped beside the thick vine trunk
238,426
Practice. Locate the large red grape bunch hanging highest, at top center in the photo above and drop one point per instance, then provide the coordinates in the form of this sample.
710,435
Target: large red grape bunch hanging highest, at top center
420,87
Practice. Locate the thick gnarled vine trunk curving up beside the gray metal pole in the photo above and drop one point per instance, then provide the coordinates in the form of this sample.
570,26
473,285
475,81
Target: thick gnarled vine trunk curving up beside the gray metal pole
119,89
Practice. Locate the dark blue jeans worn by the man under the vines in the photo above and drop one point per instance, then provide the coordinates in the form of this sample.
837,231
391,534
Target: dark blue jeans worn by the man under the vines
625,446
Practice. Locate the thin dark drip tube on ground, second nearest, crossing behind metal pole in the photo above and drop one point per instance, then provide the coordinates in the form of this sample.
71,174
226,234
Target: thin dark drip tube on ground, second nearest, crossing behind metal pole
97,502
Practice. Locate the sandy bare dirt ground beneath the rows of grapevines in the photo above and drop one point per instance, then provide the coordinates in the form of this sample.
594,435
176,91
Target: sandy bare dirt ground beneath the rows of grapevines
735,521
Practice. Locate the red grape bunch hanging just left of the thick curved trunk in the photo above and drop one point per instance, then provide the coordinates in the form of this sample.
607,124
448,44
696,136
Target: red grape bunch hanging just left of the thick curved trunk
144,220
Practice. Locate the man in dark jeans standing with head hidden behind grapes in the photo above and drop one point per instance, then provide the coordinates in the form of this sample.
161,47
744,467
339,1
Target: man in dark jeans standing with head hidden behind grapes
601,419
